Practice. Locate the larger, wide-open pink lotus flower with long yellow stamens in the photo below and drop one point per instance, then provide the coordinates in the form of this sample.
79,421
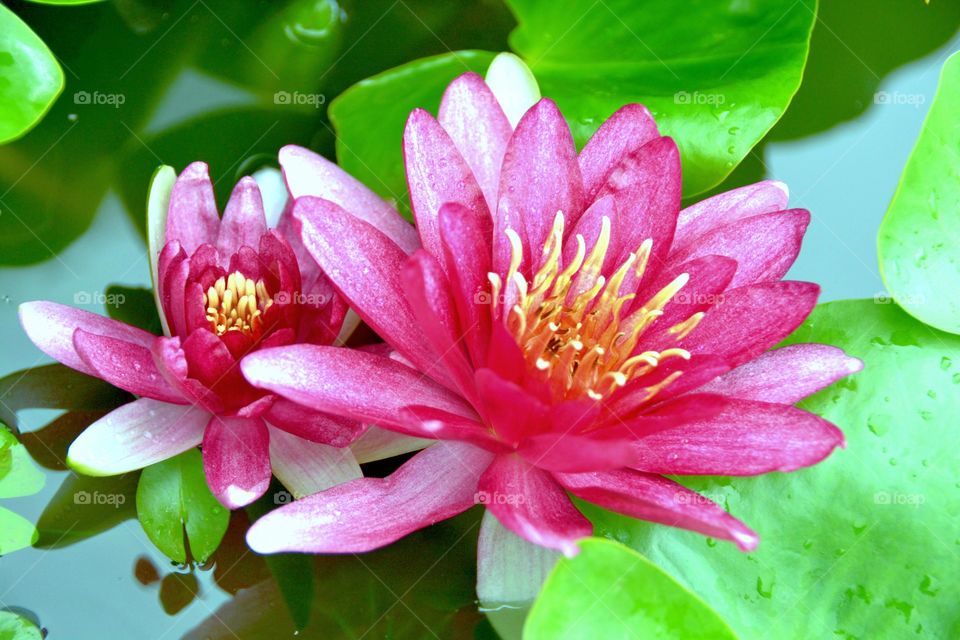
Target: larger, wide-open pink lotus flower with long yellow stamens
564,329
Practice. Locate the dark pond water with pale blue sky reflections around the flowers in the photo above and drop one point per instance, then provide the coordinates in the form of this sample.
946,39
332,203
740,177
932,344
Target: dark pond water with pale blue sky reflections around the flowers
840,148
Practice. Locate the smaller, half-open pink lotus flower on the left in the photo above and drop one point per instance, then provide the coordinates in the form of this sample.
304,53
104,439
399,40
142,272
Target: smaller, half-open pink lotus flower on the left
225,288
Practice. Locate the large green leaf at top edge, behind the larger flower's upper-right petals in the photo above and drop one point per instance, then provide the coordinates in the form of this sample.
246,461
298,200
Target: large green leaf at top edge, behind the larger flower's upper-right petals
716,75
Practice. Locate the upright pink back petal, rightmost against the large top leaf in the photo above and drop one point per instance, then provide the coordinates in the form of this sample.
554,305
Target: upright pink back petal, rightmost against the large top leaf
623,133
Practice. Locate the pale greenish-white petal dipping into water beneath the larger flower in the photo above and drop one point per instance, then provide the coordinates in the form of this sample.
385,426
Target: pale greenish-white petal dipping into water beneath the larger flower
510,570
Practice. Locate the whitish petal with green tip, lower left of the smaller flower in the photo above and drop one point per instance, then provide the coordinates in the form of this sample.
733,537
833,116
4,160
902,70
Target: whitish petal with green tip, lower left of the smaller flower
137,435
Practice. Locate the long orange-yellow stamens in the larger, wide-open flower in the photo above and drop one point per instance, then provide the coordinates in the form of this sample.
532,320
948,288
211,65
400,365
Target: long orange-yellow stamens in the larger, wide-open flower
570,322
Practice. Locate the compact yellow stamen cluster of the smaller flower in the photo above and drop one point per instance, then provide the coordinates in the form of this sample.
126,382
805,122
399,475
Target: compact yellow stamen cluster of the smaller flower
236,303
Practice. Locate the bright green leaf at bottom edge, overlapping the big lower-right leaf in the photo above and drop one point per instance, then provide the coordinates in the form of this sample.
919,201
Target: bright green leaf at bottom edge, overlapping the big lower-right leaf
610,591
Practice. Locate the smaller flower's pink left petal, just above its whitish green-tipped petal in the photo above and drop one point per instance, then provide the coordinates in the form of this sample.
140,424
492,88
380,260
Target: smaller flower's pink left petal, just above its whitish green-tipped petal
126,365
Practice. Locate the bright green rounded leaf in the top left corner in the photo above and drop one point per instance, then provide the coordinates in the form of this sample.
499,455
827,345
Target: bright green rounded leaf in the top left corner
32,79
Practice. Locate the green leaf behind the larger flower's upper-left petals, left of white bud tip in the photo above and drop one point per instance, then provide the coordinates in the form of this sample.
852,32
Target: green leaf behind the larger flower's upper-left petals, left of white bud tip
369,117
